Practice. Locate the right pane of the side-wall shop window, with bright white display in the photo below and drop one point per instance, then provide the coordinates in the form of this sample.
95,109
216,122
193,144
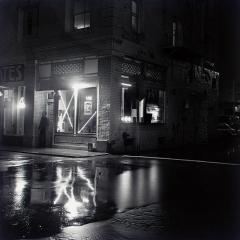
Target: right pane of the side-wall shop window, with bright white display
155,106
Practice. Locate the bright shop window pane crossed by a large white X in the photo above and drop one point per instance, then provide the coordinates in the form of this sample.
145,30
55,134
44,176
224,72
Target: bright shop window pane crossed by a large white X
65,112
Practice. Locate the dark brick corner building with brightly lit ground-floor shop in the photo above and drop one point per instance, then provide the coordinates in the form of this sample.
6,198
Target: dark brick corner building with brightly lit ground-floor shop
117,74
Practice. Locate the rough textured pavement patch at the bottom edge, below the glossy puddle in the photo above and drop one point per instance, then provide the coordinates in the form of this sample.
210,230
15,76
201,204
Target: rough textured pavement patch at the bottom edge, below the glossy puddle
137,224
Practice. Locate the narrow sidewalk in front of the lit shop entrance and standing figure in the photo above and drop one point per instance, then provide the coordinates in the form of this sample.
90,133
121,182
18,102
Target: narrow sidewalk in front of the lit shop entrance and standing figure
55,152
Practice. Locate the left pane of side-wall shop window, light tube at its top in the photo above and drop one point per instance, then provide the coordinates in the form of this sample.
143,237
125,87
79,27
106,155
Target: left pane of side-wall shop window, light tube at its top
128,104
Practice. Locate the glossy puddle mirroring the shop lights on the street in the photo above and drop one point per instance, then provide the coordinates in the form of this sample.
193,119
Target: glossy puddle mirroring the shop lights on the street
39,197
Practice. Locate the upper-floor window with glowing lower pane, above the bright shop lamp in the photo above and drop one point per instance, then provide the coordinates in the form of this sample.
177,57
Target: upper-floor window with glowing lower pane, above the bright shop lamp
81,14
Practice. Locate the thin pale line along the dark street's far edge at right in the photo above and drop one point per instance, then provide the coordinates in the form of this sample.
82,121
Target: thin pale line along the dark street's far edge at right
183,160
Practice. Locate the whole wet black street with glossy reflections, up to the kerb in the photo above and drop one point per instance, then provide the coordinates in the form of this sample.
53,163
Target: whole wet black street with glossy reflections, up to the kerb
40,196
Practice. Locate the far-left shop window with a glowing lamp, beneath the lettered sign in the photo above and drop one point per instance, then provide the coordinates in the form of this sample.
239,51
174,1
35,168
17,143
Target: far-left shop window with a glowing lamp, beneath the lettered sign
14,109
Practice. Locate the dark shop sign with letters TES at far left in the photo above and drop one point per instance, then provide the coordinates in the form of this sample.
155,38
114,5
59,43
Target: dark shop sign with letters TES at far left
12,73
